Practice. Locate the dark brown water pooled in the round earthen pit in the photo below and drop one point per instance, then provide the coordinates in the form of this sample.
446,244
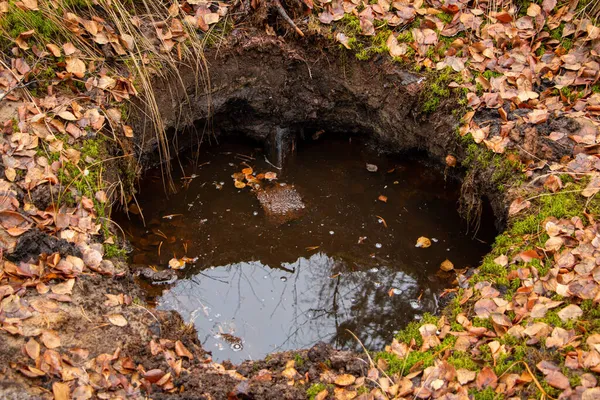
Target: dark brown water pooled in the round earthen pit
253,285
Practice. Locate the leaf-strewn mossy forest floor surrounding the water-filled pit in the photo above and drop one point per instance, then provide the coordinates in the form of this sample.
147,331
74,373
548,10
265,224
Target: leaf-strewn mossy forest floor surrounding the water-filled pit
523,81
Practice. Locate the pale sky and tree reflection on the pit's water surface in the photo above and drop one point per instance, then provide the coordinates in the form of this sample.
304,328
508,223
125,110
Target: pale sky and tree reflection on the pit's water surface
253,302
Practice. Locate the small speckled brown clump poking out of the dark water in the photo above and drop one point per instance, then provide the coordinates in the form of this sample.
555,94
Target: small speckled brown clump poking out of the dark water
282,203
